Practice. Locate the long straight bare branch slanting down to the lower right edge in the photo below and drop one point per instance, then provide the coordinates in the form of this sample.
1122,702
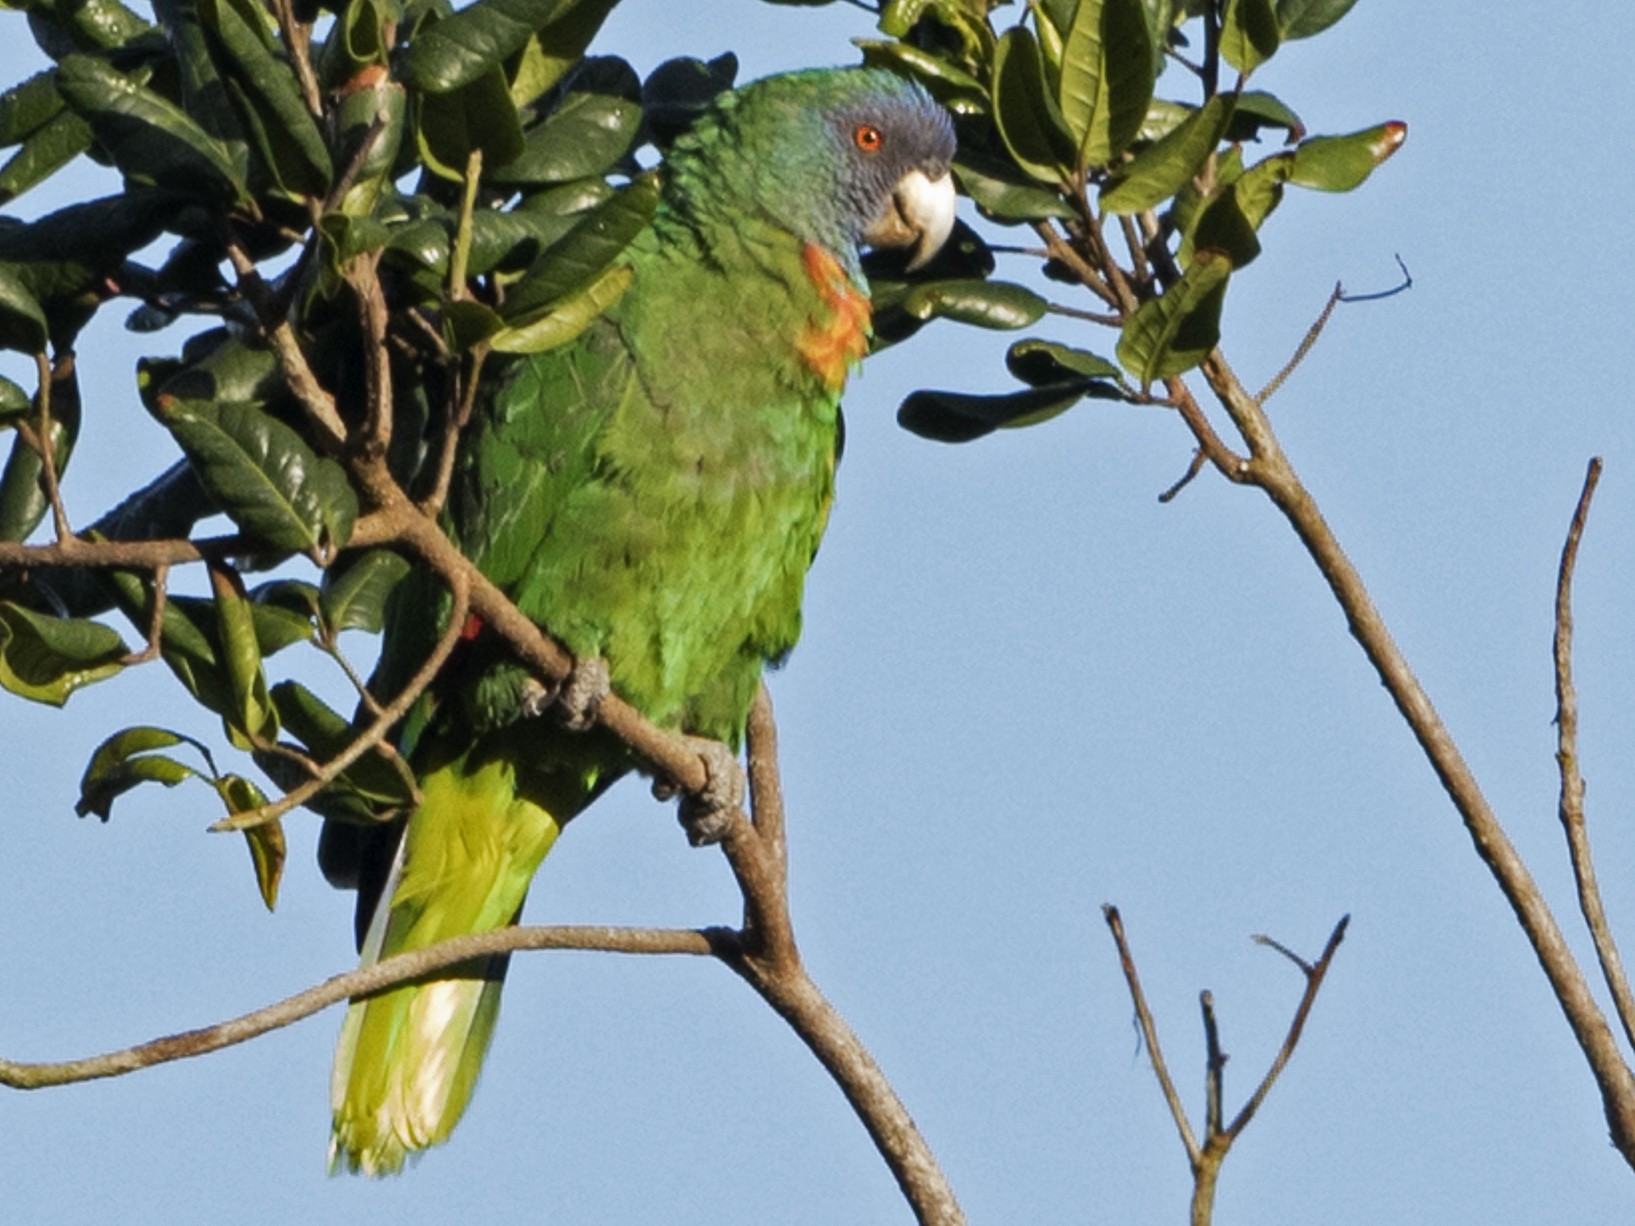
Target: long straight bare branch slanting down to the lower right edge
1270,470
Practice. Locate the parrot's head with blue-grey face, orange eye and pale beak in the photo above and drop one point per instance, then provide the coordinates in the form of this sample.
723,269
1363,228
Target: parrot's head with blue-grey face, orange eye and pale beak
840,158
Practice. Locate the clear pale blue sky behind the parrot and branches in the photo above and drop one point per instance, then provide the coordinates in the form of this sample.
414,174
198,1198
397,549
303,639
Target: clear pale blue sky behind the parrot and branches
1026,689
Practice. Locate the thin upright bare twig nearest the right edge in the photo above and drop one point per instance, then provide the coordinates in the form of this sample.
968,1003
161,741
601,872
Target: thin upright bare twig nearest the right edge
1572,803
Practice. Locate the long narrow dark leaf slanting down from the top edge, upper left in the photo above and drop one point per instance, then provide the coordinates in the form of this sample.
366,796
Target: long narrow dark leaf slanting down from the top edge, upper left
271,105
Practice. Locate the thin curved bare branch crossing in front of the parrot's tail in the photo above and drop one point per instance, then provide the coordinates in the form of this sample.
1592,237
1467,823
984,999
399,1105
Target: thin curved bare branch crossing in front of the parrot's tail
387,973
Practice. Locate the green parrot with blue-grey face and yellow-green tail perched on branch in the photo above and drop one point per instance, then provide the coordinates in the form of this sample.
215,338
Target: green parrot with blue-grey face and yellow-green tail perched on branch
653,494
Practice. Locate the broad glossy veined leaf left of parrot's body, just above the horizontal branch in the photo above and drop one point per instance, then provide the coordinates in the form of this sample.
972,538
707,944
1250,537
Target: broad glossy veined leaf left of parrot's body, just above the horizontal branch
262,475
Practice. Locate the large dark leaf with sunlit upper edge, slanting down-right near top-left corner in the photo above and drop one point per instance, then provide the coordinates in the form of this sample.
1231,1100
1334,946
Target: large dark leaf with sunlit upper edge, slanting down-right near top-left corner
146,135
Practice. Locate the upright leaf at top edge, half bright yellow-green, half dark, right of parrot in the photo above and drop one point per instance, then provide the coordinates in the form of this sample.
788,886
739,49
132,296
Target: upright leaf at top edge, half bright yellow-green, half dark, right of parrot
1108,74
